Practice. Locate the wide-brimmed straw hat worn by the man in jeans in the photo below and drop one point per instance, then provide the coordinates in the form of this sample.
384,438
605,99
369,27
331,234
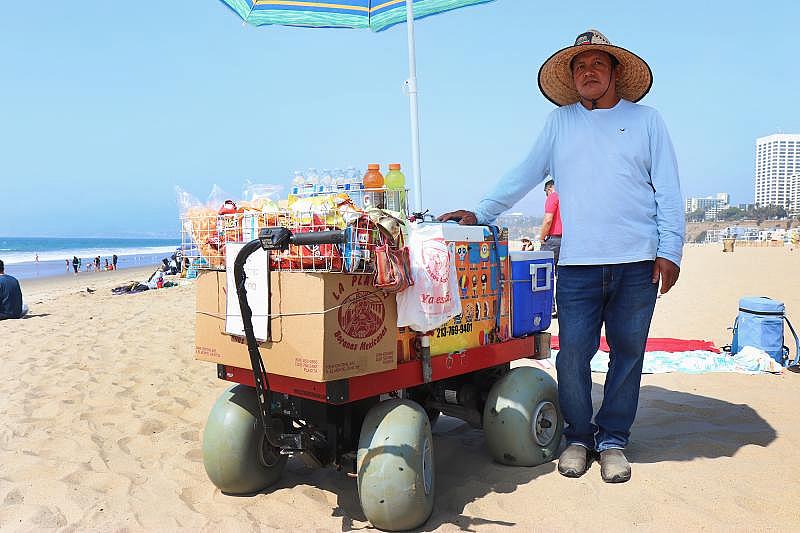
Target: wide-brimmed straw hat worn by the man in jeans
555,76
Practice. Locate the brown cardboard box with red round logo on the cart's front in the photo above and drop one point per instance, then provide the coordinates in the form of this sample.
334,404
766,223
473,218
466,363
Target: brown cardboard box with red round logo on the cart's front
325,327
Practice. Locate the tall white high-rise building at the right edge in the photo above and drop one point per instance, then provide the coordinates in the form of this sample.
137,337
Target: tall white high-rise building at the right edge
777,164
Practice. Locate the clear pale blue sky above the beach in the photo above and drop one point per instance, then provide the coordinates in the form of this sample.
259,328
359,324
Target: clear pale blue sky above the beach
107,106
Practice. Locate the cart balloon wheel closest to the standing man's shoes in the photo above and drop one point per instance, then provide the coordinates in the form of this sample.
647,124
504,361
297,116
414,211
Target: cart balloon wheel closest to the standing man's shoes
521,419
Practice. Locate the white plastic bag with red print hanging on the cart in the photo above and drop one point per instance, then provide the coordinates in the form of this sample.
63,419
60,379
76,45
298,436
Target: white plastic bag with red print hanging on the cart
434,297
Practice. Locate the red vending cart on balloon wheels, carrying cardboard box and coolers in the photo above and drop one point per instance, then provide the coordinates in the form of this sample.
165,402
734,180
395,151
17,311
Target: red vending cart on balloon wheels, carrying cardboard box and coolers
339,385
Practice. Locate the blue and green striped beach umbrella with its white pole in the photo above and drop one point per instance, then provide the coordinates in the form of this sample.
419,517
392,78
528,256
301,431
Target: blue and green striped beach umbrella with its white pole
376,15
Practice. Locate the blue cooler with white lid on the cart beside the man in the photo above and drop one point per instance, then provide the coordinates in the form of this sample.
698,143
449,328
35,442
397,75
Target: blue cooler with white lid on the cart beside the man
532,281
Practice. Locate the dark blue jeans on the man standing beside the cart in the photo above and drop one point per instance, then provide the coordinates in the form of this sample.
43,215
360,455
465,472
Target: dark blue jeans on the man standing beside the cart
623,297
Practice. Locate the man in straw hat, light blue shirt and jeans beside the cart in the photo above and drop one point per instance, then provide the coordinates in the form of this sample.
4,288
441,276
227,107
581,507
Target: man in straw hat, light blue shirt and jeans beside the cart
624,226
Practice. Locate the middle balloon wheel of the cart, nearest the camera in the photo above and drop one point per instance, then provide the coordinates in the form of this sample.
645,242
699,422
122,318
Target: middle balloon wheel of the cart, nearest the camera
395,465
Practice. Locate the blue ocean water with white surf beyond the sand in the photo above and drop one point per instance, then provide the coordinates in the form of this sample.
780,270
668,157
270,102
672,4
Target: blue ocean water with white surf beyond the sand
30,257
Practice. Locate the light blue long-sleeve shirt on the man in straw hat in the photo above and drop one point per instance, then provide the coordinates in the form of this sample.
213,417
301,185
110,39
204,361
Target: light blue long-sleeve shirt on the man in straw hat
617,178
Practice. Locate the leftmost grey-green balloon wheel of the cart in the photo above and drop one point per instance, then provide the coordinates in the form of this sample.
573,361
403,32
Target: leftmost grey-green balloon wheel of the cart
237,457
